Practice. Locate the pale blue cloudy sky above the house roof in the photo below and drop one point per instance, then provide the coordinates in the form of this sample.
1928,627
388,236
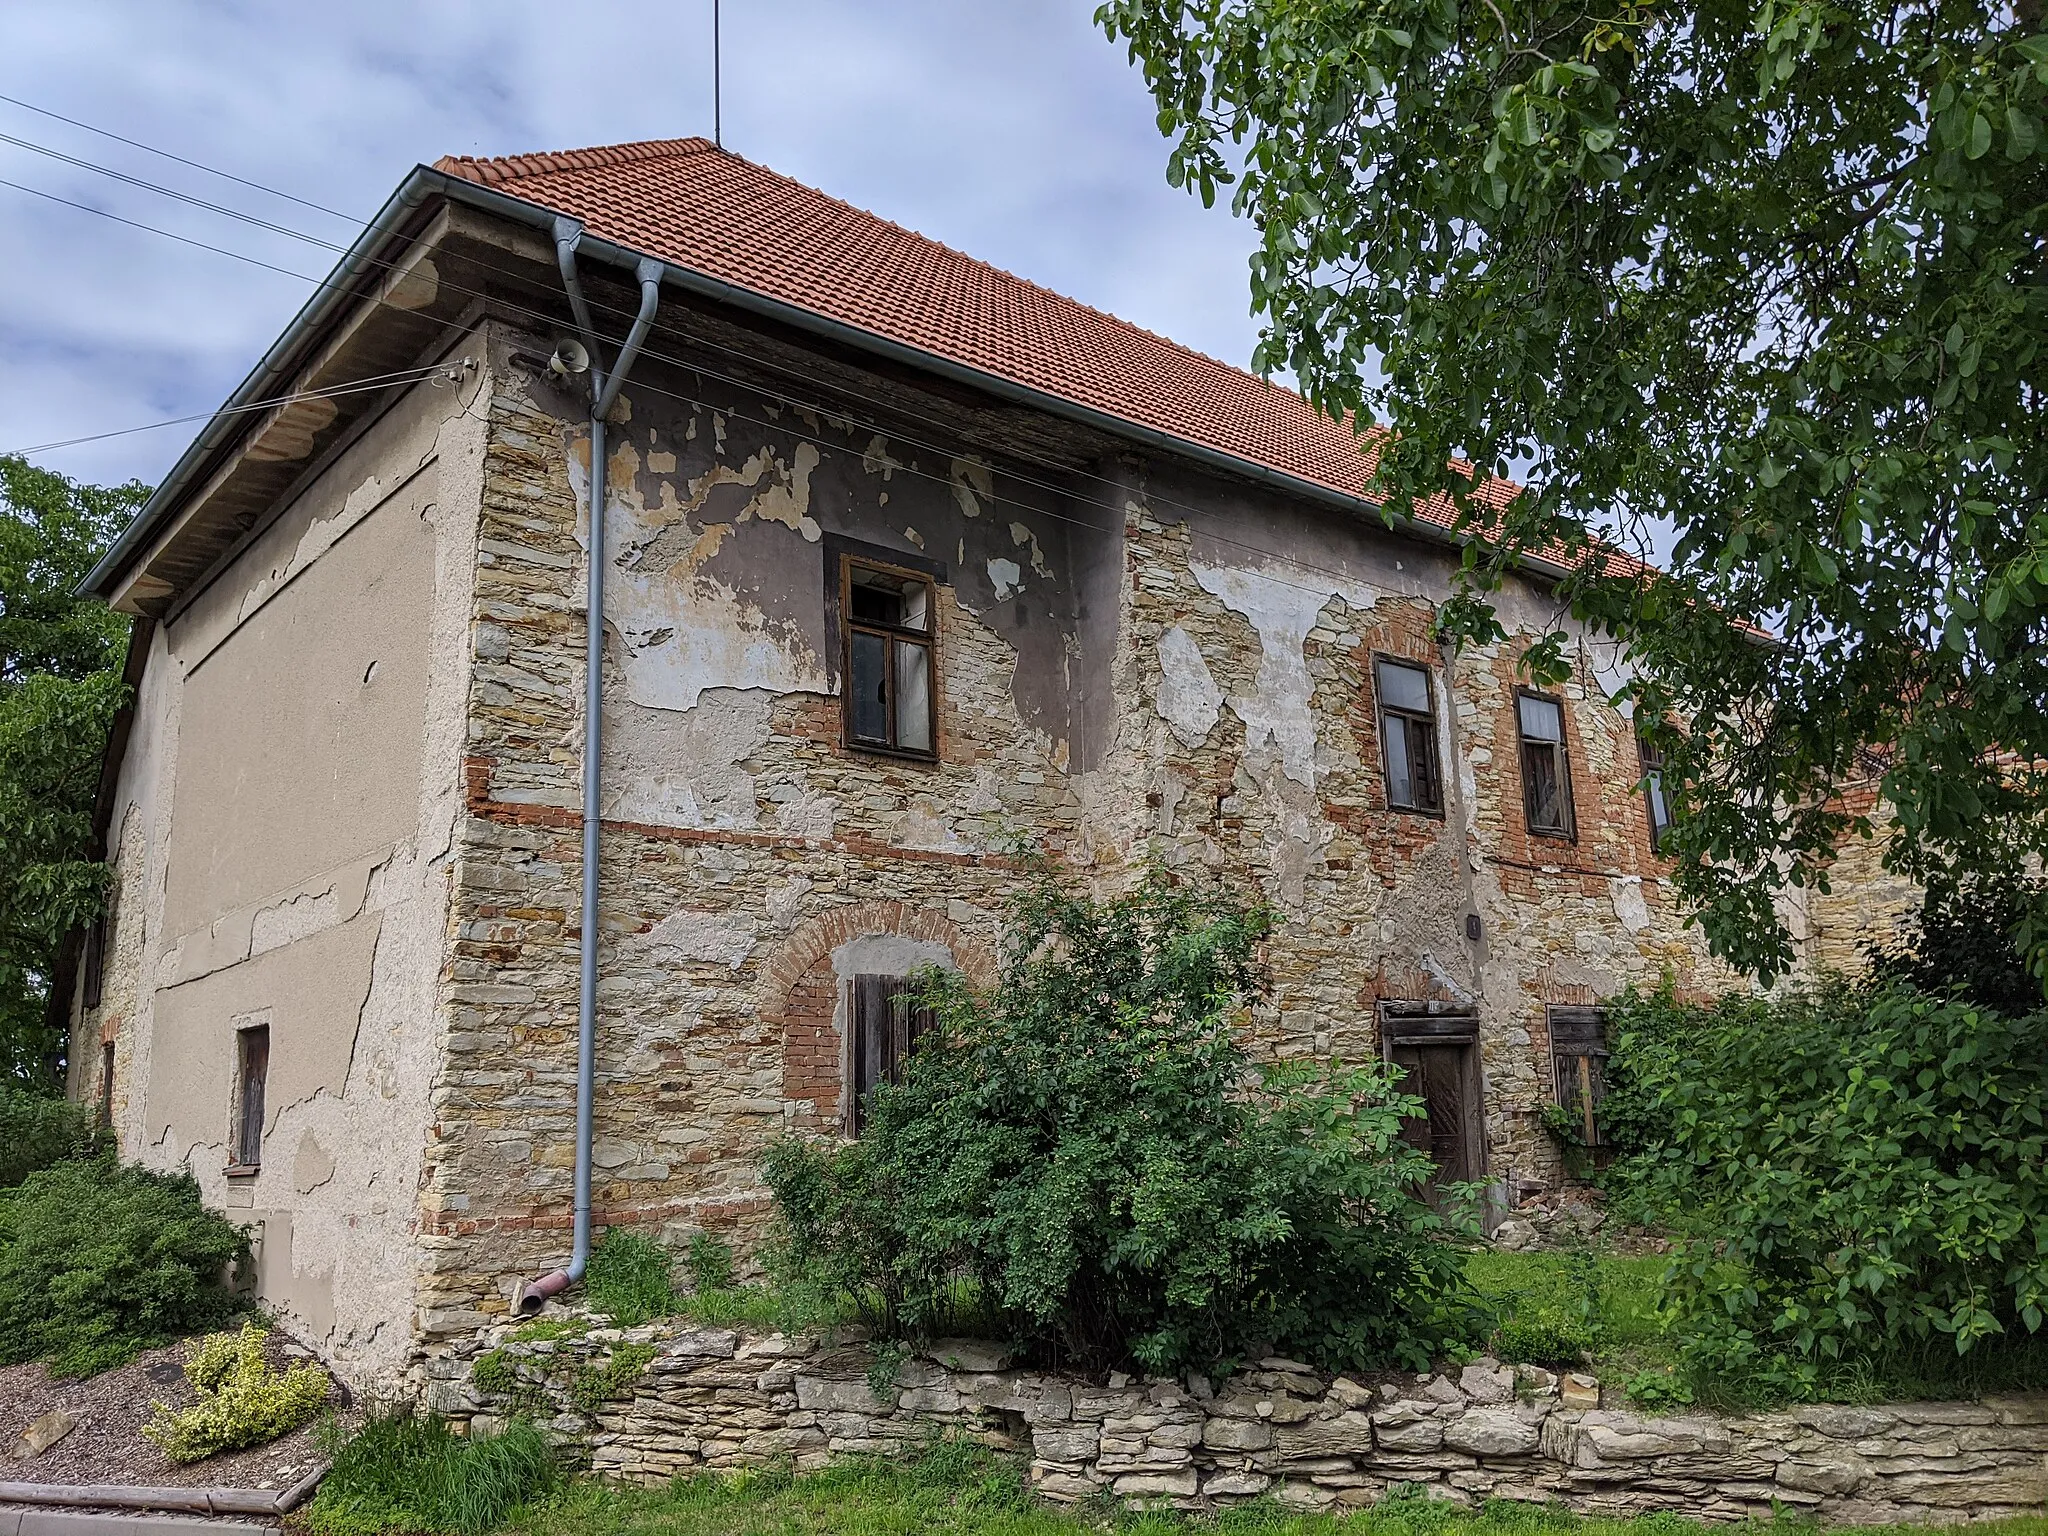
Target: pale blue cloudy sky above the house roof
1007,128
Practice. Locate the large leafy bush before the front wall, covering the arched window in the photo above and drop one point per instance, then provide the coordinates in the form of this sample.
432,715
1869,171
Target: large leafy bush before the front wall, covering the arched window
1089,1156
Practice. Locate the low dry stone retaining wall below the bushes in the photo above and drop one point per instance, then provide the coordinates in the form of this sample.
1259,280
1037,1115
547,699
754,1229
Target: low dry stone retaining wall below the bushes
722,1400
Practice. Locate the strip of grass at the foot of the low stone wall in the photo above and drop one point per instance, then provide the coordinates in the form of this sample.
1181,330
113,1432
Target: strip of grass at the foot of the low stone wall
962,1490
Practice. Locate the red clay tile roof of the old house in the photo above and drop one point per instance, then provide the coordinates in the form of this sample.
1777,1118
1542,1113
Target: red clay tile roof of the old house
697,206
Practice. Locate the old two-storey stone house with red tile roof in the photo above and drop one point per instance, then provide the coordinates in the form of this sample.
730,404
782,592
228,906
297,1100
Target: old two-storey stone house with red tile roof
904,560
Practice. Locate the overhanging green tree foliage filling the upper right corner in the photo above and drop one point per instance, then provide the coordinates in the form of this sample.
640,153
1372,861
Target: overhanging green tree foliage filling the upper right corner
1760,280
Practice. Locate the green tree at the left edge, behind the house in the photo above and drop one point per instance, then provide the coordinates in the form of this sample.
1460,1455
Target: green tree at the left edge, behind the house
60,687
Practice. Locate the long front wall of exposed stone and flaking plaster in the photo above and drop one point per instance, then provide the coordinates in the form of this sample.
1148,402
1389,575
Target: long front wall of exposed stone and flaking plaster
1129,667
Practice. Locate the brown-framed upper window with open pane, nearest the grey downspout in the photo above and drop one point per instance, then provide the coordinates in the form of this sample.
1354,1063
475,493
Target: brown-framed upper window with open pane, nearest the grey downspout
886,620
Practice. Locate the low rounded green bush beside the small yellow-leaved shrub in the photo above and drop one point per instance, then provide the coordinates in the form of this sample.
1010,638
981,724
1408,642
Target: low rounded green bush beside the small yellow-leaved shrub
99,1263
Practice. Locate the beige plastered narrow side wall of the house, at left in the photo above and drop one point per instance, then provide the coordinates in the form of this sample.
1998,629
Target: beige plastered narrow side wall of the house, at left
286,812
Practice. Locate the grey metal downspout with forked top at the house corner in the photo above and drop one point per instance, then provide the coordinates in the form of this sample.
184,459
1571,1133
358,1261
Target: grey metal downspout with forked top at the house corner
603,392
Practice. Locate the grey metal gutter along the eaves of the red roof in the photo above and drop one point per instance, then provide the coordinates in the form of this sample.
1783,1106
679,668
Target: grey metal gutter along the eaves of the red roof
427,183
